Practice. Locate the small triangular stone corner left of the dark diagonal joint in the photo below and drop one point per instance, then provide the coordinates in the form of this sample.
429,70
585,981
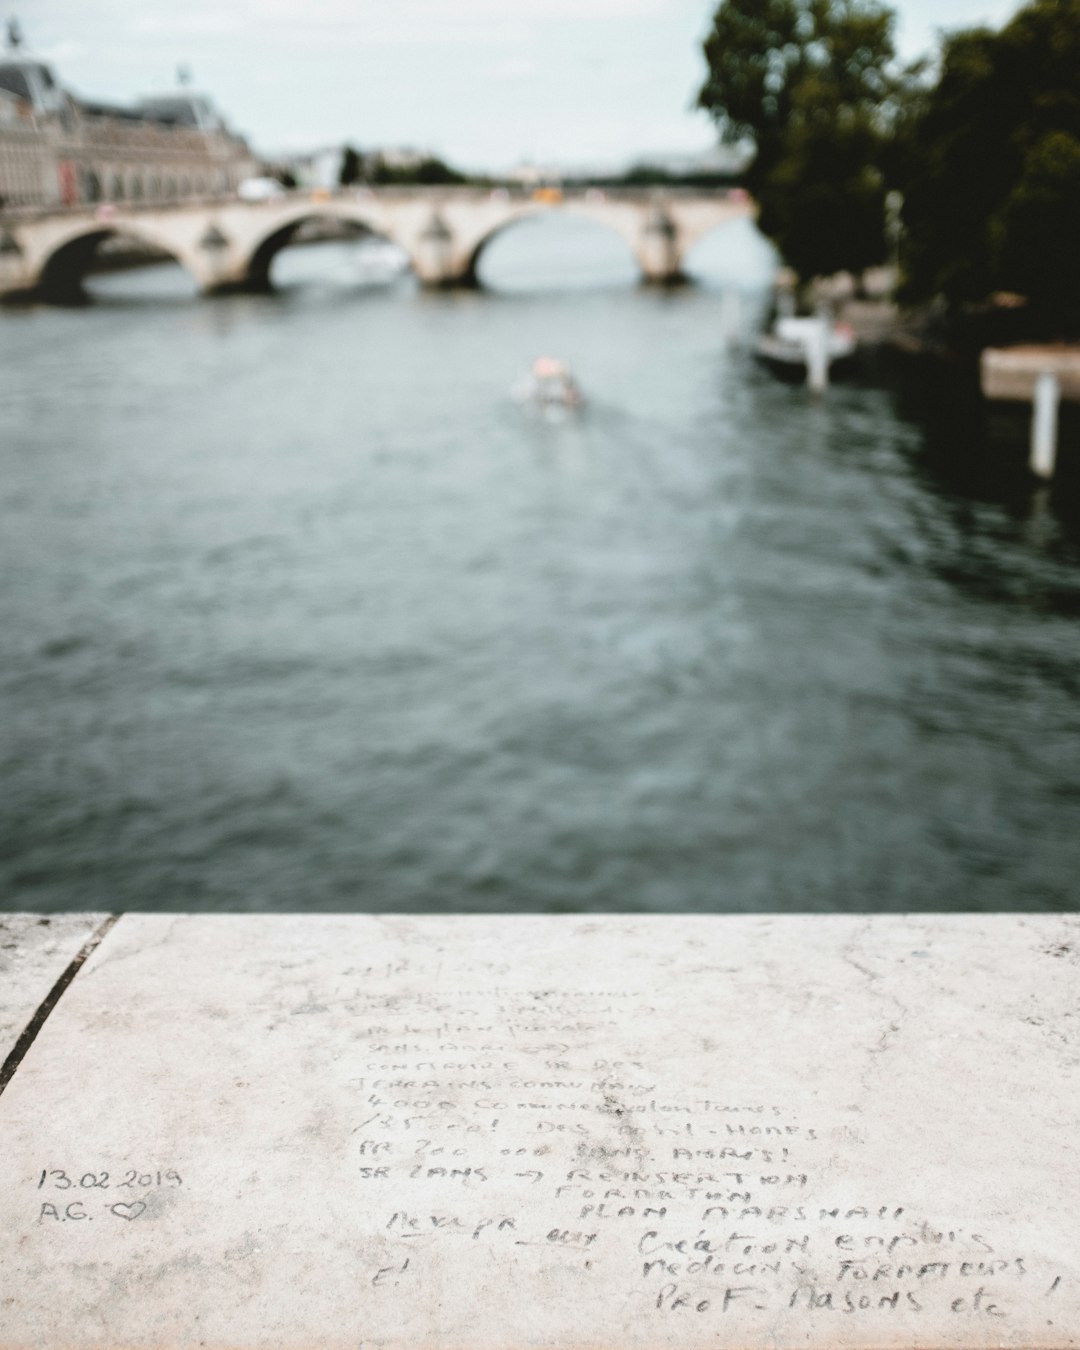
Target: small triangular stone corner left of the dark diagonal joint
36,950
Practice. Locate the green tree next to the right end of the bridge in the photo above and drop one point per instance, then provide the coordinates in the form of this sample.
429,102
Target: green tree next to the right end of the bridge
812,84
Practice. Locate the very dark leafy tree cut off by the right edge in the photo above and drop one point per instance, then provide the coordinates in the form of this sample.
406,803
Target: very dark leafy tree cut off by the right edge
994,194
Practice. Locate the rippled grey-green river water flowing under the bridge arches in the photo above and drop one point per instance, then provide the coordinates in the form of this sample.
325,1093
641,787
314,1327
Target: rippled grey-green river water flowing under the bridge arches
300,611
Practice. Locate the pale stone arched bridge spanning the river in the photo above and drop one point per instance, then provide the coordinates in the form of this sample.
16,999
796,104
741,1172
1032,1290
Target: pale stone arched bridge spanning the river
230,245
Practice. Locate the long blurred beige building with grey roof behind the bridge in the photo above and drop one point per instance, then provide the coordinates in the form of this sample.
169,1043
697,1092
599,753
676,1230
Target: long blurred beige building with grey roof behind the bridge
59,151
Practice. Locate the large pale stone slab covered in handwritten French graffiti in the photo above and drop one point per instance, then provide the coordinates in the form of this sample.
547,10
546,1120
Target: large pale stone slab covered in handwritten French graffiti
587,1135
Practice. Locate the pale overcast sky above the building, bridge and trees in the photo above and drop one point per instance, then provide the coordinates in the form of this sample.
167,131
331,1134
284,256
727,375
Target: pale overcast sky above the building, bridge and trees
484,83
